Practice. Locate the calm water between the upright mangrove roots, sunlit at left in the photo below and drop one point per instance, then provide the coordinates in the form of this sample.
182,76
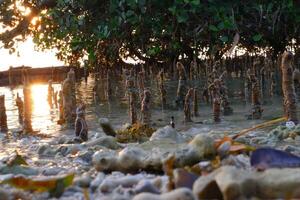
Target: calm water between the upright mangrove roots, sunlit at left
44,119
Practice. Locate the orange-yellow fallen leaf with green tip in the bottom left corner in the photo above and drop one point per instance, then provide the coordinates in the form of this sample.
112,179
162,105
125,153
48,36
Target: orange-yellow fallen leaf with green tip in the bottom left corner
55,185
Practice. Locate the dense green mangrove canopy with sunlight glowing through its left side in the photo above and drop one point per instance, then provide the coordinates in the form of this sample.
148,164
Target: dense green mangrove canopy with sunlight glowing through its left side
151,30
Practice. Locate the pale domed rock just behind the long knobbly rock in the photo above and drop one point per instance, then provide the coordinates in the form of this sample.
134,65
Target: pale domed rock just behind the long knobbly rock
167,132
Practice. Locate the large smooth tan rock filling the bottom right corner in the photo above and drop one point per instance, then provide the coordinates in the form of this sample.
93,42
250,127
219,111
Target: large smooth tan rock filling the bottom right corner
231,183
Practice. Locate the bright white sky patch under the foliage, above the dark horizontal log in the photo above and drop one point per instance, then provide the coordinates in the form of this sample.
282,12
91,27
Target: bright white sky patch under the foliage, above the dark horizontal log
28,57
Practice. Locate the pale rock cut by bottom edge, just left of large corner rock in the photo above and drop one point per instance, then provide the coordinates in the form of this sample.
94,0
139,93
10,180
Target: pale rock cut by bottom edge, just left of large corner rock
178,194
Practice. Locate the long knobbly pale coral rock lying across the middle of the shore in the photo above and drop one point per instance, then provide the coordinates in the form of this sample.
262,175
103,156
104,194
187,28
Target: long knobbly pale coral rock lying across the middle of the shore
150,155
